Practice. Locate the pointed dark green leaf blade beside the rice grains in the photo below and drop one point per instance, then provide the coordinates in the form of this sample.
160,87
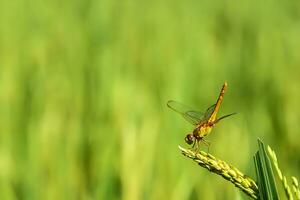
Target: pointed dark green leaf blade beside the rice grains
265,178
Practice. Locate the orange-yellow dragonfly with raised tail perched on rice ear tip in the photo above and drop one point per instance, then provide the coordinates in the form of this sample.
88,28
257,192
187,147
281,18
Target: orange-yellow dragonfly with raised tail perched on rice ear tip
204,122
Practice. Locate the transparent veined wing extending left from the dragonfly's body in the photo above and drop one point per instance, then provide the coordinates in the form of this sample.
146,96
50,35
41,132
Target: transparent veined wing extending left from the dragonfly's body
194,117
